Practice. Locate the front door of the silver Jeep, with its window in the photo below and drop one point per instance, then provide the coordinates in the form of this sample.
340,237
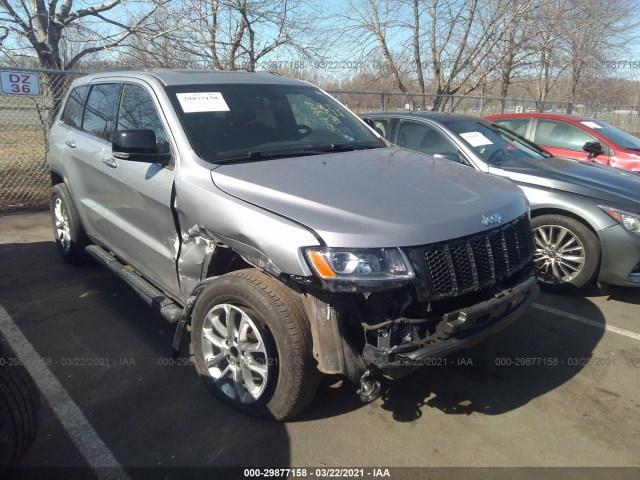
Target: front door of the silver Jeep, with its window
142,230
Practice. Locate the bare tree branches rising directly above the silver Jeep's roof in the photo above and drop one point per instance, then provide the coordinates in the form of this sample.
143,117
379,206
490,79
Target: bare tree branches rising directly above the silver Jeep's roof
227,34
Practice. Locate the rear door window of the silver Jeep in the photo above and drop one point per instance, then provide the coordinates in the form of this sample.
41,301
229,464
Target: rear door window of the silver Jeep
100,110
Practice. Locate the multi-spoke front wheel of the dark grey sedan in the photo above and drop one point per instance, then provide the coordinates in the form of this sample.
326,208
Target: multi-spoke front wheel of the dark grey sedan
567,253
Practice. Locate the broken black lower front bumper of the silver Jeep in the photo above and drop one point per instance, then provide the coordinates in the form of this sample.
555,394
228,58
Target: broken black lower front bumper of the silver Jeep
459,329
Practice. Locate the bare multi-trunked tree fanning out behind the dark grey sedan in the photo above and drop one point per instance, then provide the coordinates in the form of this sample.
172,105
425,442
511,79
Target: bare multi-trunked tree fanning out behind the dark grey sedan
450,44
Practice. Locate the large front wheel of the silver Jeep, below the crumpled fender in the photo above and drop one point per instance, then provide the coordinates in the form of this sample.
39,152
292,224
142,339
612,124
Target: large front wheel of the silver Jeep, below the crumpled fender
252,345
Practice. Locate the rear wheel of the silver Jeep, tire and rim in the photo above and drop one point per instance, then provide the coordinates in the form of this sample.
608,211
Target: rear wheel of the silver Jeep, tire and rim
71,238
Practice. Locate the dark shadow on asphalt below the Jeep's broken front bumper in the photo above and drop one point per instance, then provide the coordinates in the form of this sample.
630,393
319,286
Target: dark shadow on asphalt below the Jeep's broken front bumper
535,355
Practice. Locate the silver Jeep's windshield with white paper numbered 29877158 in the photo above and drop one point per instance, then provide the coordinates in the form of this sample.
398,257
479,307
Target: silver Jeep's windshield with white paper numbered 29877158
227,122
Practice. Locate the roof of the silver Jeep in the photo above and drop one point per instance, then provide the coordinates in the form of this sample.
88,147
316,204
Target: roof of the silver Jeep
169,77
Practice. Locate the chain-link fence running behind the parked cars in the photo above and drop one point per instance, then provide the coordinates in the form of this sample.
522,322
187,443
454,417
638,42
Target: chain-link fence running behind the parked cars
25,121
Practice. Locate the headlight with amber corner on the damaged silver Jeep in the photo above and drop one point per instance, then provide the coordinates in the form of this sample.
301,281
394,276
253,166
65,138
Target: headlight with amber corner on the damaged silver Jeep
347,269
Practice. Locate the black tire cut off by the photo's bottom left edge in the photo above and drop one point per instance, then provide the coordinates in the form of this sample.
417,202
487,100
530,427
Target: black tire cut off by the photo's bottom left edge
19,410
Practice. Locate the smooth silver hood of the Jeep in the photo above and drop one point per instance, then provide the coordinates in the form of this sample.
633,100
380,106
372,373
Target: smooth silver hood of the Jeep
383,197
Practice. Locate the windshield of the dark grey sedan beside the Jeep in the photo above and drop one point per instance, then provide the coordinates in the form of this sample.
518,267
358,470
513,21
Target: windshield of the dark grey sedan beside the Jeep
495,144
